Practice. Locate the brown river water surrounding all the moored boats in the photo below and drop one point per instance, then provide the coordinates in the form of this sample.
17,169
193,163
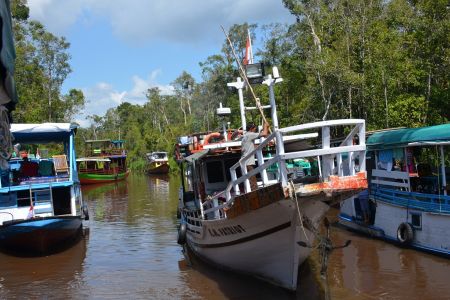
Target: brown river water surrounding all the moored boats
129,251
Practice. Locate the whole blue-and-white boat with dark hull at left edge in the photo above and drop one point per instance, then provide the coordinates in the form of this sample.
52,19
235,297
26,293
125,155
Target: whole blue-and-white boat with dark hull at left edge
41,206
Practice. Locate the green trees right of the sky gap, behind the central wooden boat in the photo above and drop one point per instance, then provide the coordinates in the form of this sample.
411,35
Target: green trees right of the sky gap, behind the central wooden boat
378,60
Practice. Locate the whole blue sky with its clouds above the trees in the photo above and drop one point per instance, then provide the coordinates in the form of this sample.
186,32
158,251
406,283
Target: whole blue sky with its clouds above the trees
120,48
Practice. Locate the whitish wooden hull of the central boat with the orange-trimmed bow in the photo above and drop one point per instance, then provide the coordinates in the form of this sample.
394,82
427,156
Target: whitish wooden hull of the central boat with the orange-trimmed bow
261,243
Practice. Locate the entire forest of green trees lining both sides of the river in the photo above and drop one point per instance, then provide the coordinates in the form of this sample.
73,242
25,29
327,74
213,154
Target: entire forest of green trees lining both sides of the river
384,61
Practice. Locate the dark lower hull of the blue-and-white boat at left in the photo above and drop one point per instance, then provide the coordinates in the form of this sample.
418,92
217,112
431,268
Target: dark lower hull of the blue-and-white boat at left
40,236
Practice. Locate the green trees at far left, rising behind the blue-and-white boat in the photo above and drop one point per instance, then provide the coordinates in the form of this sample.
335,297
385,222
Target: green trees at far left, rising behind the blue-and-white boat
42,65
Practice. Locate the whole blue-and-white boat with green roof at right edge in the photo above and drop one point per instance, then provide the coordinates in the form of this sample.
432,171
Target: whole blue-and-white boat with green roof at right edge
407,201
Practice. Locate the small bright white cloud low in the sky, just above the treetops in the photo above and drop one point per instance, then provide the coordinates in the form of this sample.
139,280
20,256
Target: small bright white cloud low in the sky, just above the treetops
103,96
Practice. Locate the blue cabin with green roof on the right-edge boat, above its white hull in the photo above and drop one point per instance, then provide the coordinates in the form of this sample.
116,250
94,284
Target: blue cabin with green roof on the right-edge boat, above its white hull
407,167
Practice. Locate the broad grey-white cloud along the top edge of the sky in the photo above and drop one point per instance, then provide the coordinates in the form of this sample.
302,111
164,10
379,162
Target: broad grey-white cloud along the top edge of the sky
142,21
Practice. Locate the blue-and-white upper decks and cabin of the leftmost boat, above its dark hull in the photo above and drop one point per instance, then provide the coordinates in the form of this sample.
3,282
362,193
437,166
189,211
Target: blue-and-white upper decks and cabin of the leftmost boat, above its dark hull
36,179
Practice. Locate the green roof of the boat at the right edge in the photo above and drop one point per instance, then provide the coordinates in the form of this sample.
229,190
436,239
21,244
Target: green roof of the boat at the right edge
430,135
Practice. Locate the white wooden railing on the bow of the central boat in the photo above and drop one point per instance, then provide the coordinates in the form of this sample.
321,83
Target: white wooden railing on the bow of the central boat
329,158
